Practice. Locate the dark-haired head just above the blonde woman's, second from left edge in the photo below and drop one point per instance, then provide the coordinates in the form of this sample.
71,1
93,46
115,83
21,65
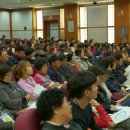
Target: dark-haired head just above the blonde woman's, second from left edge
19,51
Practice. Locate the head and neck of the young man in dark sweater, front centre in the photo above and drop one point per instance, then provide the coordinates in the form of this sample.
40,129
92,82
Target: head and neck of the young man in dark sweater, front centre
83,86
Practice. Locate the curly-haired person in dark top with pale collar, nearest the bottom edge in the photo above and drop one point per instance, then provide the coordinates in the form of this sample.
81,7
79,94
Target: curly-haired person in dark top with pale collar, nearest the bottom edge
55,111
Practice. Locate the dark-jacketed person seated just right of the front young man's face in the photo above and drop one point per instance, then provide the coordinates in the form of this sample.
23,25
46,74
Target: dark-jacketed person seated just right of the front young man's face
102,97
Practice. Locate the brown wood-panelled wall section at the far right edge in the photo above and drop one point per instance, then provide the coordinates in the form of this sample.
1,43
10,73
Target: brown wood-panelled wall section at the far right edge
122,18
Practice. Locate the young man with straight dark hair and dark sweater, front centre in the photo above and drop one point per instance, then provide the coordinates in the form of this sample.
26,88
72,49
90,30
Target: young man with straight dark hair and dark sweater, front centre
82,88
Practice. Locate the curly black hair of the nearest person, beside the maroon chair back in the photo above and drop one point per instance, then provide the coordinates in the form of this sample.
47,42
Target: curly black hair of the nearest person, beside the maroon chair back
47,101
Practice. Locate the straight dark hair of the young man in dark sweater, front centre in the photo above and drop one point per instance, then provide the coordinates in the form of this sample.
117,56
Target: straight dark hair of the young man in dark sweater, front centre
79,83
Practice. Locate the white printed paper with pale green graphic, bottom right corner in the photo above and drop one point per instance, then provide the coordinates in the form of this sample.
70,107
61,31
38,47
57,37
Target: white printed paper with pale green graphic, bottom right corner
121,115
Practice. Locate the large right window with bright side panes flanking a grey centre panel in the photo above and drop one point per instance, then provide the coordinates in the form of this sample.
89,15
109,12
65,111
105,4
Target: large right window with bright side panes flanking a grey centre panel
106,21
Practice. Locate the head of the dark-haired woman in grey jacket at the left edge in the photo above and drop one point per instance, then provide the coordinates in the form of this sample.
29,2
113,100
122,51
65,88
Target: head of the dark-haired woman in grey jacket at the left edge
5,73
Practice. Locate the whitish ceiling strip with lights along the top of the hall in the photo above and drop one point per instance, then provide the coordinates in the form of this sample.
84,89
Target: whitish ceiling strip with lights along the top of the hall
41,3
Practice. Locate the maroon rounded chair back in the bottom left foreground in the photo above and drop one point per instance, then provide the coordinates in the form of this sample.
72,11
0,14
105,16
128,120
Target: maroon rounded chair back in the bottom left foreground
28,120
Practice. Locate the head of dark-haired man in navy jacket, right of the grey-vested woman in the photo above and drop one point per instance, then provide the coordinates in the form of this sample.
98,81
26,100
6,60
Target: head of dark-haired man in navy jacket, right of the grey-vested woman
54,61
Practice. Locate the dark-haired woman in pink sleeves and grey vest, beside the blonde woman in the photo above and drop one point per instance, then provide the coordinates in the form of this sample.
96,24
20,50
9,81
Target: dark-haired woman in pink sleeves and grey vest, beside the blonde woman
41,76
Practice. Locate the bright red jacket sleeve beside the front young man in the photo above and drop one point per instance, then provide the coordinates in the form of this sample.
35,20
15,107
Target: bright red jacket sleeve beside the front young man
103,119
